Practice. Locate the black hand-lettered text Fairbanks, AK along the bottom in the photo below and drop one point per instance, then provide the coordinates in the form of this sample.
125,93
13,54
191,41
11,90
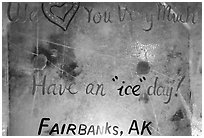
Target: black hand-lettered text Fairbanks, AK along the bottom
83,129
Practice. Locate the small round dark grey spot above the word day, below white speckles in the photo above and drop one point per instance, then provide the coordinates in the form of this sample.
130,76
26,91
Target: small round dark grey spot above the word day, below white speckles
143,67
